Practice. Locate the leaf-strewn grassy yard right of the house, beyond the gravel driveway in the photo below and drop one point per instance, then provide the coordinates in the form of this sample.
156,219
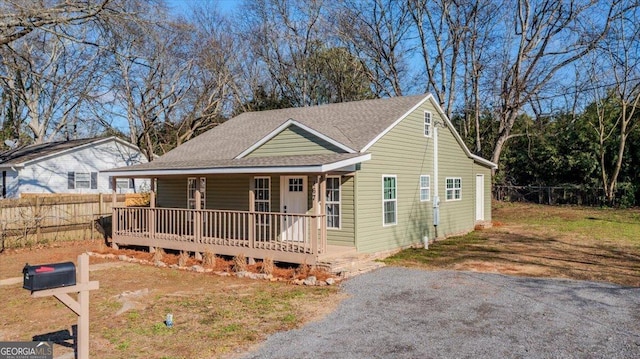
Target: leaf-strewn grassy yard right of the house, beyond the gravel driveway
543,241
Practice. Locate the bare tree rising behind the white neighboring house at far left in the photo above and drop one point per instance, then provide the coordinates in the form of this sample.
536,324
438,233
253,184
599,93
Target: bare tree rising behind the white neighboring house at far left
52,79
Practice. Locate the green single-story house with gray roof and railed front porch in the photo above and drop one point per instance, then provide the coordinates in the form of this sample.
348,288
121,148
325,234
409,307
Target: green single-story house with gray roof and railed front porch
299,184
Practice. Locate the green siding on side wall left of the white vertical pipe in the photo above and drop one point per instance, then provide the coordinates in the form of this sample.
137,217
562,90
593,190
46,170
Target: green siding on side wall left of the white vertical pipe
406,153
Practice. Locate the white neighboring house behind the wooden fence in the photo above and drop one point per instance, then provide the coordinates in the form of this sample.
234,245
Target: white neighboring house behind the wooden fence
69,167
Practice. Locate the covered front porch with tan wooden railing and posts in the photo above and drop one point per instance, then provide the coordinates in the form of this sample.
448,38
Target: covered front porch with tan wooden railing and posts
290,226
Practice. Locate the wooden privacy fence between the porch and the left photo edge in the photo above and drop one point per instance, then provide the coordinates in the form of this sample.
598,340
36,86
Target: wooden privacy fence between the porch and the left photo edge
42,217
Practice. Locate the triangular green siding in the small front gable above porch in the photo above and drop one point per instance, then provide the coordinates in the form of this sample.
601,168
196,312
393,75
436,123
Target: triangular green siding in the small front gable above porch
294,141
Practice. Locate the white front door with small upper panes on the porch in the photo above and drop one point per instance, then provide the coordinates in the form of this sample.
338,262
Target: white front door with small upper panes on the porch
293,200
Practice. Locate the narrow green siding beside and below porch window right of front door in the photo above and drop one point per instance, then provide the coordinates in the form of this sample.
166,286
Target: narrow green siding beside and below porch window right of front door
345,236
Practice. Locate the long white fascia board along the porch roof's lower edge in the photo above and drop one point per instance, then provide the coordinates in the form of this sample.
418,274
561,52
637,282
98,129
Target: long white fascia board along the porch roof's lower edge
231,170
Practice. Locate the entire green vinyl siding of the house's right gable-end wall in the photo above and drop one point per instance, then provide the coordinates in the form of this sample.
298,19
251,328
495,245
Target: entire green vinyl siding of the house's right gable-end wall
406,153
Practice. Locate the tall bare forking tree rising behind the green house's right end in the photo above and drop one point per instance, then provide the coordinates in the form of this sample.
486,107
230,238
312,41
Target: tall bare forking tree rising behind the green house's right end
544,38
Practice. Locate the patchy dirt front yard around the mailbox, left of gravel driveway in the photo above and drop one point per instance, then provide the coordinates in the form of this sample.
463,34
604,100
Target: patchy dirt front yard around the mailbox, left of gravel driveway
214,316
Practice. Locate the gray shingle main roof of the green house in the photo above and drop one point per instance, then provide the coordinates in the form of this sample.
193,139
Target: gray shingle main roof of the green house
353,124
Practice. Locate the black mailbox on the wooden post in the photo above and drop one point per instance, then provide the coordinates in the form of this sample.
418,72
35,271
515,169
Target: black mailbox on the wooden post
47,276
